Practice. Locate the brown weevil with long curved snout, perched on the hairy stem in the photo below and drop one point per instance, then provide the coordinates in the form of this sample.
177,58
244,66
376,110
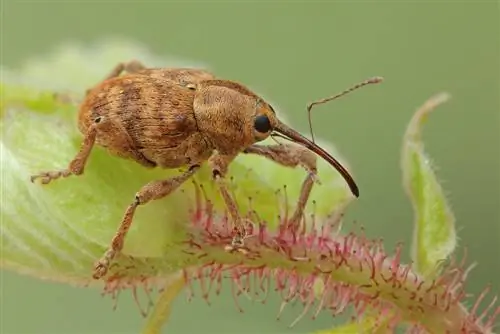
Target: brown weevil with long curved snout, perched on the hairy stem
181,118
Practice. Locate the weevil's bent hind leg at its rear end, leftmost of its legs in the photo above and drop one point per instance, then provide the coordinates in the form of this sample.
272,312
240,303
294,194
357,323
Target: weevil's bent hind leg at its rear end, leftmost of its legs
77,165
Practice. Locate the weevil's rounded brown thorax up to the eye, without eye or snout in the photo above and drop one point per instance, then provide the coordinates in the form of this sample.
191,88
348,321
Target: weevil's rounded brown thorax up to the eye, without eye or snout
225,113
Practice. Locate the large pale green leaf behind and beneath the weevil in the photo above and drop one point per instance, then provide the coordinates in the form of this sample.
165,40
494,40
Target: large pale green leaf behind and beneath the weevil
58,230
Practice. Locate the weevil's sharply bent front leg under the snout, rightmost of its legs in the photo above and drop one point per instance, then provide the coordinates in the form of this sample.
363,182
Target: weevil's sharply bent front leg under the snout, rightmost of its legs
290,155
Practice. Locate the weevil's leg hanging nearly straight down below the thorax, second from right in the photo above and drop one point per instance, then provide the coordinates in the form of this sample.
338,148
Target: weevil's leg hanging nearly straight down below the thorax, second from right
219,164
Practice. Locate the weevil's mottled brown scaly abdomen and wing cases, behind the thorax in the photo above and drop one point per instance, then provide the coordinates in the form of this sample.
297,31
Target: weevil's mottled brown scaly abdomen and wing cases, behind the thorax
146,119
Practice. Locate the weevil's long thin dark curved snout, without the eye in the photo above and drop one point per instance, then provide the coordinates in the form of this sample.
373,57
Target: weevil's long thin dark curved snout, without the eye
294,136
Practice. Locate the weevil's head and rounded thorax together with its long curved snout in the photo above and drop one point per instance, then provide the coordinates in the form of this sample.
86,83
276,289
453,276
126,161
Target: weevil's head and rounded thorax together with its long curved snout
232,117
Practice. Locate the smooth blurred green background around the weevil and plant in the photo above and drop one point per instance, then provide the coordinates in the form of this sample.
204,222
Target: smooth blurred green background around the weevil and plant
292,53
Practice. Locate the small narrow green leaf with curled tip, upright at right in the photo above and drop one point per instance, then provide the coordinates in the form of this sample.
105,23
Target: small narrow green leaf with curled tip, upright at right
434,237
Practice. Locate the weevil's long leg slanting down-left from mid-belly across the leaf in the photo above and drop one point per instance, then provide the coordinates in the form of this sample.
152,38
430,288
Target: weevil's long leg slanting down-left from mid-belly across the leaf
152,191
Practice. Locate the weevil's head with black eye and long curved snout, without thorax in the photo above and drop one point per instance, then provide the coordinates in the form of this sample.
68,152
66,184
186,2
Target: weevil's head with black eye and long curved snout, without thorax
266,123
